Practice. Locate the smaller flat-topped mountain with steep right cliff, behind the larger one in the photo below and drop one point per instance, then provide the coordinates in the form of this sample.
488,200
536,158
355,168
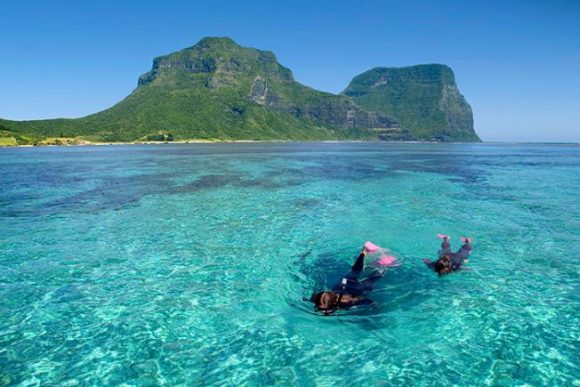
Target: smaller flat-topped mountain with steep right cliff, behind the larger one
424,99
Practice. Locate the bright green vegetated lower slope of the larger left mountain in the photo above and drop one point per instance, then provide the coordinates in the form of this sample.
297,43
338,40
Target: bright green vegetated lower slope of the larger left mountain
188,112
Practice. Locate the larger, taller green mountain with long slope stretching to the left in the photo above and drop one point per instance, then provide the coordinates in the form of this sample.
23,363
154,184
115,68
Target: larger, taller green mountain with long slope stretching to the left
219,90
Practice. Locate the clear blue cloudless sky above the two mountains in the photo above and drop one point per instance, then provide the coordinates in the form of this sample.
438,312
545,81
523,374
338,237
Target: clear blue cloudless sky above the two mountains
516,62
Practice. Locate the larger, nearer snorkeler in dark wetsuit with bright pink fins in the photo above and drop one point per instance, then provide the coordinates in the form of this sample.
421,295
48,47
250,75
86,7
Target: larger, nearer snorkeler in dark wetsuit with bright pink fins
350,291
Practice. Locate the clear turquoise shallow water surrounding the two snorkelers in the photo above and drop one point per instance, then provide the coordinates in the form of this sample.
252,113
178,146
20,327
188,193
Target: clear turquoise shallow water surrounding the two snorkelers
191,263
